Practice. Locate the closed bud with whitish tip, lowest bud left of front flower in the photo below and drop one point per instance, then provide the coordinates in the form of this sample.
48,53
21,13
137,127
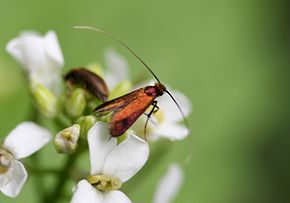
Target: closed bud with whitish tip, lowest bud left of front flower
66,140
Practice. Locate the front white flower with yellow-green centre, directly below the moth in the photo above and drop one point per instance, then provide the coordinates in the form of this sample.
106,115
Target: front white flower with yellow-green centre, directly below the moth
111,165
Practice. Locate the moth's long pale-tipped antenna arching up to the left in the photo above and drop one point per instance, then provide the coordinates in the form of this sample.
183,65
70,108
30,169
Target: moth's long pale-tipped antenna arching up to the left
121,43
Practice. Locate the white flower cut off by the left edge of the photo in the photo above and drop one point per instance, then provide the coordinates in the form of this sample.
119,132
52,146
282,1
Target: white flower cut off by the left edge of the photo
23,141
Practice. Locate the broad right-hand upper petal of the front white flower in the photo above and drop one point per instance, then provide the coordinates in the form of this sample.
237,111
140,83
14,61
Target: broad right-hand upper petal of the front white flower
127,158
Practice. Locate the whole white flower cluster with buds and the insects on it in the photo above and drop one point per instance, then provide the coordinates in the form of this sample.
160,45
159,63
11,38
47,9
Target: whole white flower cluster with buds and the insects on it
113,160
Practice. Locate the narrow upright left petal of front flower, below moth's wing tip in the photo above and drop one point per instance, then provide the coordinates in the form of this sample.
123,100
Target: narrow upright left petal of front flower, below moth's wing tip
100,144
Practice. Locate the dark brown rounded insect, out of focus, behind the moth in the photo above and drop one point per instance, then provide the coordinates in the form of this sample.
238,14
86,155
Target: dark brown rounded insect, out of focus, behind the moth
90,81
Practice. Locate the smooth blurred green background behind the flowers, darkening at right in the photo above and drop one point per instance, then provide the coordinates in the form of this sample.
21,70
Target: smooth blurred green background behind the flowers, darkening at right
230,57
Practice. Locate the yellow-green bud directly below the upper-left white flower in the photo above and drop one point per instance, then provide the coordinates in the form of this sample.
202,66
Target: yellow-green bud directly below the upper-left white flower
45,100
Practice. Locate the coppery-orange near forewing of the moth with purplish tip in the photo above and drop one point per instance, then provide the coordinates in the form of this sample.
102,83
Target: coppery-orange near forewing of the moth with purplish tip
123,118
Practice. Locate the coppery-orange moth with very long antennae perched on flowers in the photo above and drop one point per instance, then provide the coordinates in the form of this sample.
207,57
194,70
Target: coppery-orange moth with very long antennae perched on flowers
128,108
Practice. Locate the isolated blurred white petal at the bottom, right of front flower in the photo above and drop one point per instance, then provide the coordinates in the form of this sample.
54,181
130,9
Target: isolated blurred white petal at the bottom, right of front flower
169,185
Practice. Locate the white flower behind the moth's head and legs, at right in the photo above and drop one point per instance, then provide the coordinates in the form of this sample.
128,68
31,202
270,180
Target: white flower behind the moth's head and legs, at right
166,121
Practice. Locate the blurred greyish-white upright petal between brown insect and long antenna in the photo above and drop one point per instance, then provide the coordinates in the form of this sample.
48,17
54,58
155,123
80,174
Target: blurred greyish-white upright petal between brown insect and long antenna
117,67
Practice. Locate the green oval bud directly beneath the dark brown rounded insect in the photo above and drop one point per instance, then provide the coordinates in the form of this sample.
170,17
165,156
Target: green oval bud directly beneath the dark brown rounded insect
76,102
